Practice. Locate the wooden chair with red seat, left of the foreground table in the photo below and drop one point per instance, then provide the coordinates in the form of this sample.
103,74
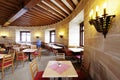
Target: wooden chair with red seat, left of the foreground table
36,75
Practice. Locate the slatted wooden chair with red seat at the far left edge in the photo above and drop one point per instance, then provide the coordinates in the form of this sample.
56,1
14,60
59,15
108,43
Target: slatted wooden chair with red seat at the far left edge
7,61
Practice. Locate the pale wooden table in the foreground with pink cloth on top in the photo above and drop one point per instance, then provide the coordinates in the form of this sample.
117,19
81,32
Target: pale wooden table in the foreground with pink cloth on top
51,72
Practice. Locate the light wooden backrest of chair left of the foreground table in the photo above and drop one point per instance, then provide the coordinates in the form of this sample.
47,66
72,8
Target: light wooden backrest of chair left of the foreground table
33,68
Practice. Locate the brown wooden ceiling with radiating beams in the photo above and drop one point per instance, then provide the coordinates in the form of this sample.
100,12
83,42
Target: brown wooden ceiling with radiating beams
35,12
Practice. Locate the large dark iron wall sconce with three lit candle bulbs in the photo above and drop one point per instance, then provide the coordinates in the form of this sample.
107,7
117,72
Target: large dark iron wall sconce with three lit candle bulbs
101,24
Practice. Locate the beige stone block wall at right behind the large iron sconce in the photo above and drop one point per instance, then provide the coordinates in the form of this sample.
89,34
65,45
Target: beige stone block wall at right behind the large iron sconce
103,53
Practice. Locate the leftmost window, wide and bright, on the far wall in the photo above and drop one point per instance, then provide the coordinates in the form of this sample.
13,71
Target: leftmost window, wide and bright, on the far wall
25,36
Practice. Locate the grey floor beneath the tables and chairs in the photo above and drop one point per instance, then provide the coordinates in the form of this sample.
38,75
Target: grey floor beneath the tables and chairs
23,73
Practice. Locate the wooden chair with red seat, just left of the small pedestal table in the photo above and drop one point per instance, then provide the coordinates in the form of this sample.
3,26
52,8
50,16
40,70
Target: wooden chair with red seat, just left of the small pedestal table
20,56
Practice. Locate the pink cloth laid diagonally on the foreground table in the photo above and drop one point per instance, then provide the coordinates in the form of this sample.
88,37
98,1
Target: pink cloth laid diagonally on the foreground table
59,69
